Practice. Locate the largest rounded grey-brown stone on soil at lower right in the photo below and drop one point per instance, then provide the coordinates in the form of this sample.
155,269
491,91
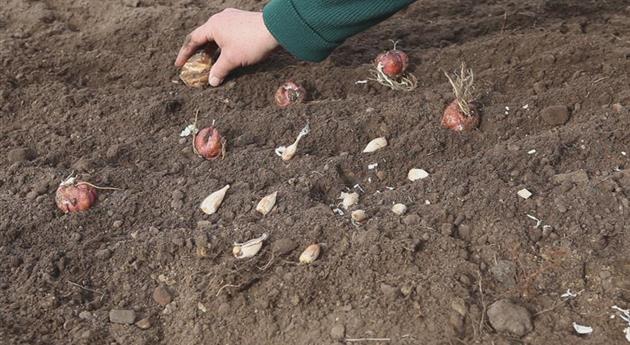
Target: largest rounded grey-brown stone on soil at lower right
505,316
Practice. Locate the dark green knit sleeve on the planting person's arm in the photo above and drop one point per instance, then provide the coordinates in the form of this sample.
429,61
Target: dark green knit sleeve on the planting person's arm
311,29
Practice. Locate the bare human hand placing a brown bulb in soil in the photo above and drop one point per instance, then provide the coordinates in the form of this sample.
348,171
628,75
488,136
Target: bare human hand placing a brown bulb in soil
241,36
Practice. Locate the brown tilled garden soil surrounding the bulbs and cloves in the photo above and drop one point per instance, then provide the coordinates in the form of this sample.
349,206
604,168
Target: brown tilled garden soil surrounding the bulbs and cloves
89,86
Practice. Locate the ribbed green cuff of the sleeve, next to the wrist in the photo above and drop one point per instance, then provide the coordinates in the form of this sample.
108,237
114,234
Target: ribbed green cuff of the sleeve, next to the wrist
295,35
